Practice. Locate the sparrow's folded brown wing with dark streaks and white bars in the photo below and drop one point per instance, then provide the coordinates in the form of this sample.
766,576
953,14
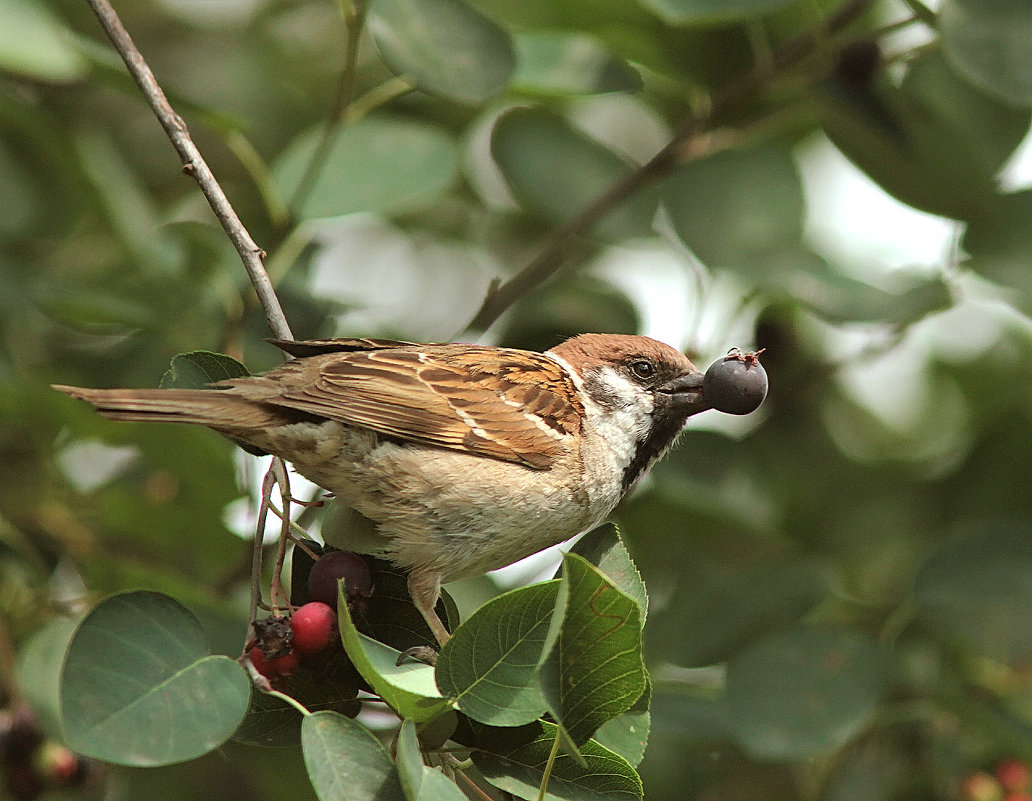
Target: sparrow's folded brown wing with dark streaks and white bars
508,405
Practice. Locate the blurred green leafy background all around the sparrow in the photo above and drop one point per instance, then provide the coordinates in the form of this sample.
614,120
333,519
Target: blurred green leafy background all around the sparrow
840,586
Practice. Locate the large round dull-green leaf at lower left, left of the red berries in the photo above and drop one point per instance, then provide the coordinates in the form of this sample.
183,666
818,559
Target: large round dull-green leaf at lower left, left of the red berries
140,688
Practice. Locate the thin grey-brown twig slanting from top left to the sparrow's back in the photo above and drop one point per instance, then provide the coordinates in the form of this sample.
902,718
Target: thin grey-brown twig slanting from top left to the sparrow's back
195,165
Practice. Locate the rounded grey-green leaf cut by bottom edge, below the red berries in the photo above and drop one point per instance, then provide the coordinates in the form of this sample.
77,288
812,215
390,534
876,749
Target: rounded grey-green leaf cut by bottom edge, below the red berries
346,762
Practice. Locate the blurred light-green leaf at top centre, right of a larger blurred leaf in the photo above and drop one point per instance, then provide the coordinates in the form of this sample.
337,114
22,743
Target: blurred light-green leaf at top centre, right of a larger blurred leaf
565,63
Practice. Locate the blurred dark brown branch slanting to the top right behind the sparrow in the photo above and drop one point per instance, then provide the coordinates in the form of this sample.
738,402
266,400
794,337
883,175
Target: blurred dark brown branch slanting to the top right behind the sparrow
724,105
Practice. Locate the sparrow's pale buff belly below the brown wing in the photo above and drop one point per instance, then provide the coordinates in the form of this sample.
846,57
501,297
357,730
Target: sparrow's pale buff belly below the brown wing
448,511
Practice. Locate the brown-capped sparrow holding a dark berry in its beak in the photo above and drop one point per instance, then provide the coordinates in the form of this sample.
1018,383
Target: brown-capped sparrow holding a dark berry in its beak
467,458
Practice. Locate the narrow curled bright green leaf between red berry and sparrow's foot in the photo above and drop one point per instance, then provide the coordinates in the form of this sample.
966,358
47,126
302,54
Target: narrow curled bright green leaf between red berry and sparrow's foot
409,688
